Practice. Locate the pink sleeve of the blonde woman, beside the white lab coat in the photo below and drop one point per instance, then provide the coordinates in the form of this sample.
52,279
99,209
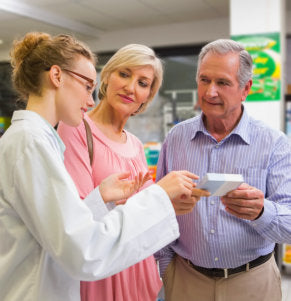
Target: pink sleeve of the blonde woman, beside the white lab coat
77,157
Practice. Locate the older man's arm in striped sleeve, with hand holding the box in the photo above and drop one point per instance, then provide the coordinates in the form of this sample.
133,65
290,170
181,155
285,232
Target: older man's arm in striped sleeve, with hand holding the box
270,214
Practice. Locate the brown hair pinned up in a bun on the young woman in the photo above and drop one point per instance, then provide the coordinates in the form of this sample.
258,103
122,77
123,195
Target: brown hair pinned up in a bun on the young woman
36,52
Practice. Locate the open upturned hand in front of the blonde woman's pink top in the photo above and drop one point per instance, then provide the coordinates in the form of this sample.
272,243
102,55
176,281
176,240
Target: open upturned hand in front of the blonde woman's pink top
117,188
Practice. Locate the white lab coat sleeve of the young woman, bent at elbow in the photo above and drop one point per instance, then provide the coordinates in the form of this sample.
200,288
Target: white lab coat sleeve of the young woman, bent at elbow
47,201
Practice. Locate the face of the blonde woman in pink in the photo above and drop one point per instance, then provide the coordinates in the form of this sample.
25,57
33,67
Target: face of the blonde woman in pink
128,88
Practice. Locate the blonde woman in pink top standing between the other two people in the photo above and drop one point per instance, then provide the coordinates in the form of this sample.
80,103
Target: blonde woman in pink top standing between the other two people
129,81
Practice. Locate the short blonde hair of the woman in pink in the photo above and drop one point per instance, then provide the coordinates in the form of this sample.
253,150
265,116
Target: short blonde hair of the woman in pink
133,55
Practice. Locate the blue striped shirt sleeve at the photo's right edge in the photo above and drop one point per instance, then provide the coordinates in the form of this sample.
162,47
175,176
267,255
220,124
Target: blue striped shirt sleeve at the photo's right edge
275,222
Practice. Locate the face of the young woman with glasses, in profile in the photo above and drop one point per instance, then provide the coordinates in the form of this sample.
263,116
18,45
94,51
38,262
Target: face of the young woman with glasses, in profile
76,95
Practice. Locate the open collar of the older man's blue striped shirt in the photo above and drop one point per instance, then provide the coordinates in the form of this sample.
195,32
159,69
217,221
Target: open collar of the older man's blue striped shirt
241,129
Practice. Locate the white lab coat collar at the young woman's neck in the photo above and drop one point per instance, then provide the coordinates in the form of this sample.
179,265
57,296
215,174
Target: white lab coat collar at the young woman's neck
43,123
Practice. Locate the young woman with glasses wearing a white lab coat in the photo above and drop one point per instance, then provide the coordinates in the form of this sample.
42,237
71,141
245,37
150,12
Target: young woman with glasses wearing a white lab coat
50,239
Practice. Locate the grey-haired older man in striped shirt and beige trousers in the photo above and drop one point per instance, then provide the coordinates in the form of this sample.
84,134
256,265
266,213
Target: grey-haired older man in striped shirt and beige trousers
225,249
